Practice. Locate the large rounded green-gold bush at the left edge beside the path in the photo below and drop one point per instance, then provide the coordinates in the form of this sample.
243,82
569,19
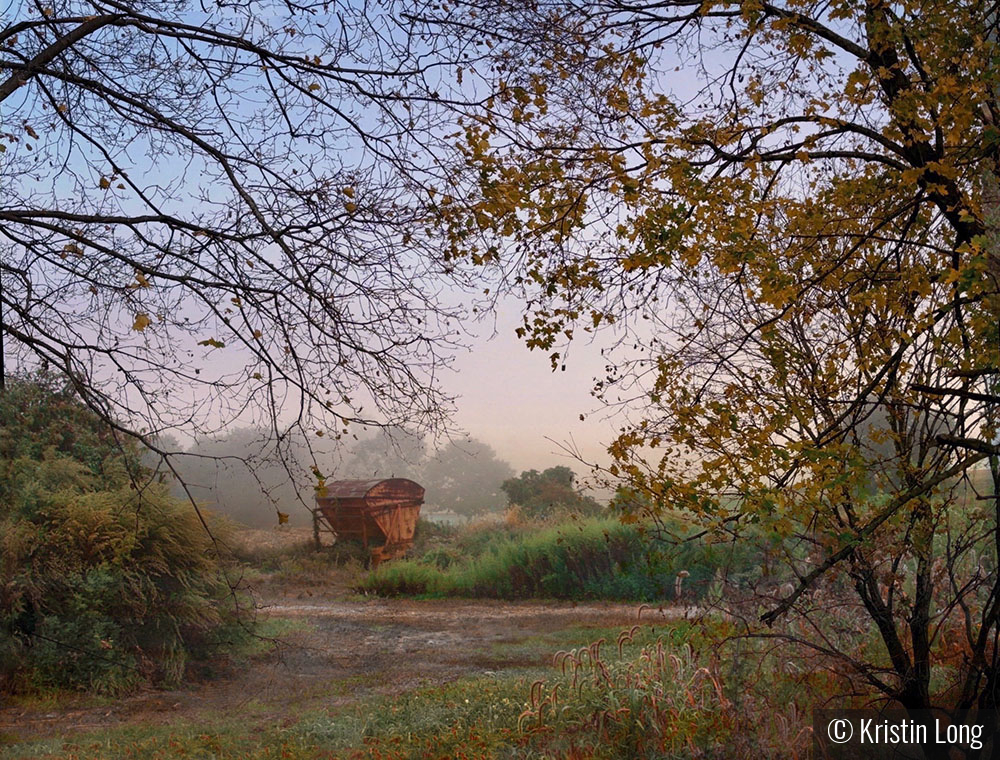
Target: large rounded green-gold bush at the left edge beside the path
106,582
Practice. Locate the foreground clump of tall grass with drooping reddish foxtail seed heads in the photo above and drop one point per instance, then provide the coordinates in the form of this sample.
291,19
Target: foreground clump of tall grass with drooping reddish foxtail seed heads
656,696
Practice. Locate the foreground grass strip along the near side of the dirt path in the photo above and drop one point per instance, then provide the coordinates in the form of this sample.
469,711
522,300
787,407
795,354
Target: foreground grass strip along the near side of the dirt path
640,692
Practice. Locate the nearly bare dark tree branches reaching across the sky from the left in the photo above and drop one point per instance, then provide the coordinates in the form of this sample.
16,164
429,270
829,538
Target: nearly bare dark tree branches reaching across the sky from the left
219,212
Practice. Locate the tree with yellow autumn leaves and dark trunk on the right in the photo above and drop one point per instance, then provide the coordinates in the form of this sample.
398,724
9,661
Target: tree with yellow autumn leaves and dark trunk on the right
784,207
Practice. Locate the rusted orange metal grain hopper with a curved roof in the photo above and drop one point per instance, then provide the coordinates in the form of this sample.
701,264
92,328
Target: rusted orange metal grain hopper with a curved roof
380,514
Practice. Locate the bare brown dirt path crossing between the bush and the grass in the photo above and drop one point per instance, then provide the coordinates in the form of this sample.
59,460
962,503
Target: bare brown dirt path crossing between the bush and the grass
344,650
